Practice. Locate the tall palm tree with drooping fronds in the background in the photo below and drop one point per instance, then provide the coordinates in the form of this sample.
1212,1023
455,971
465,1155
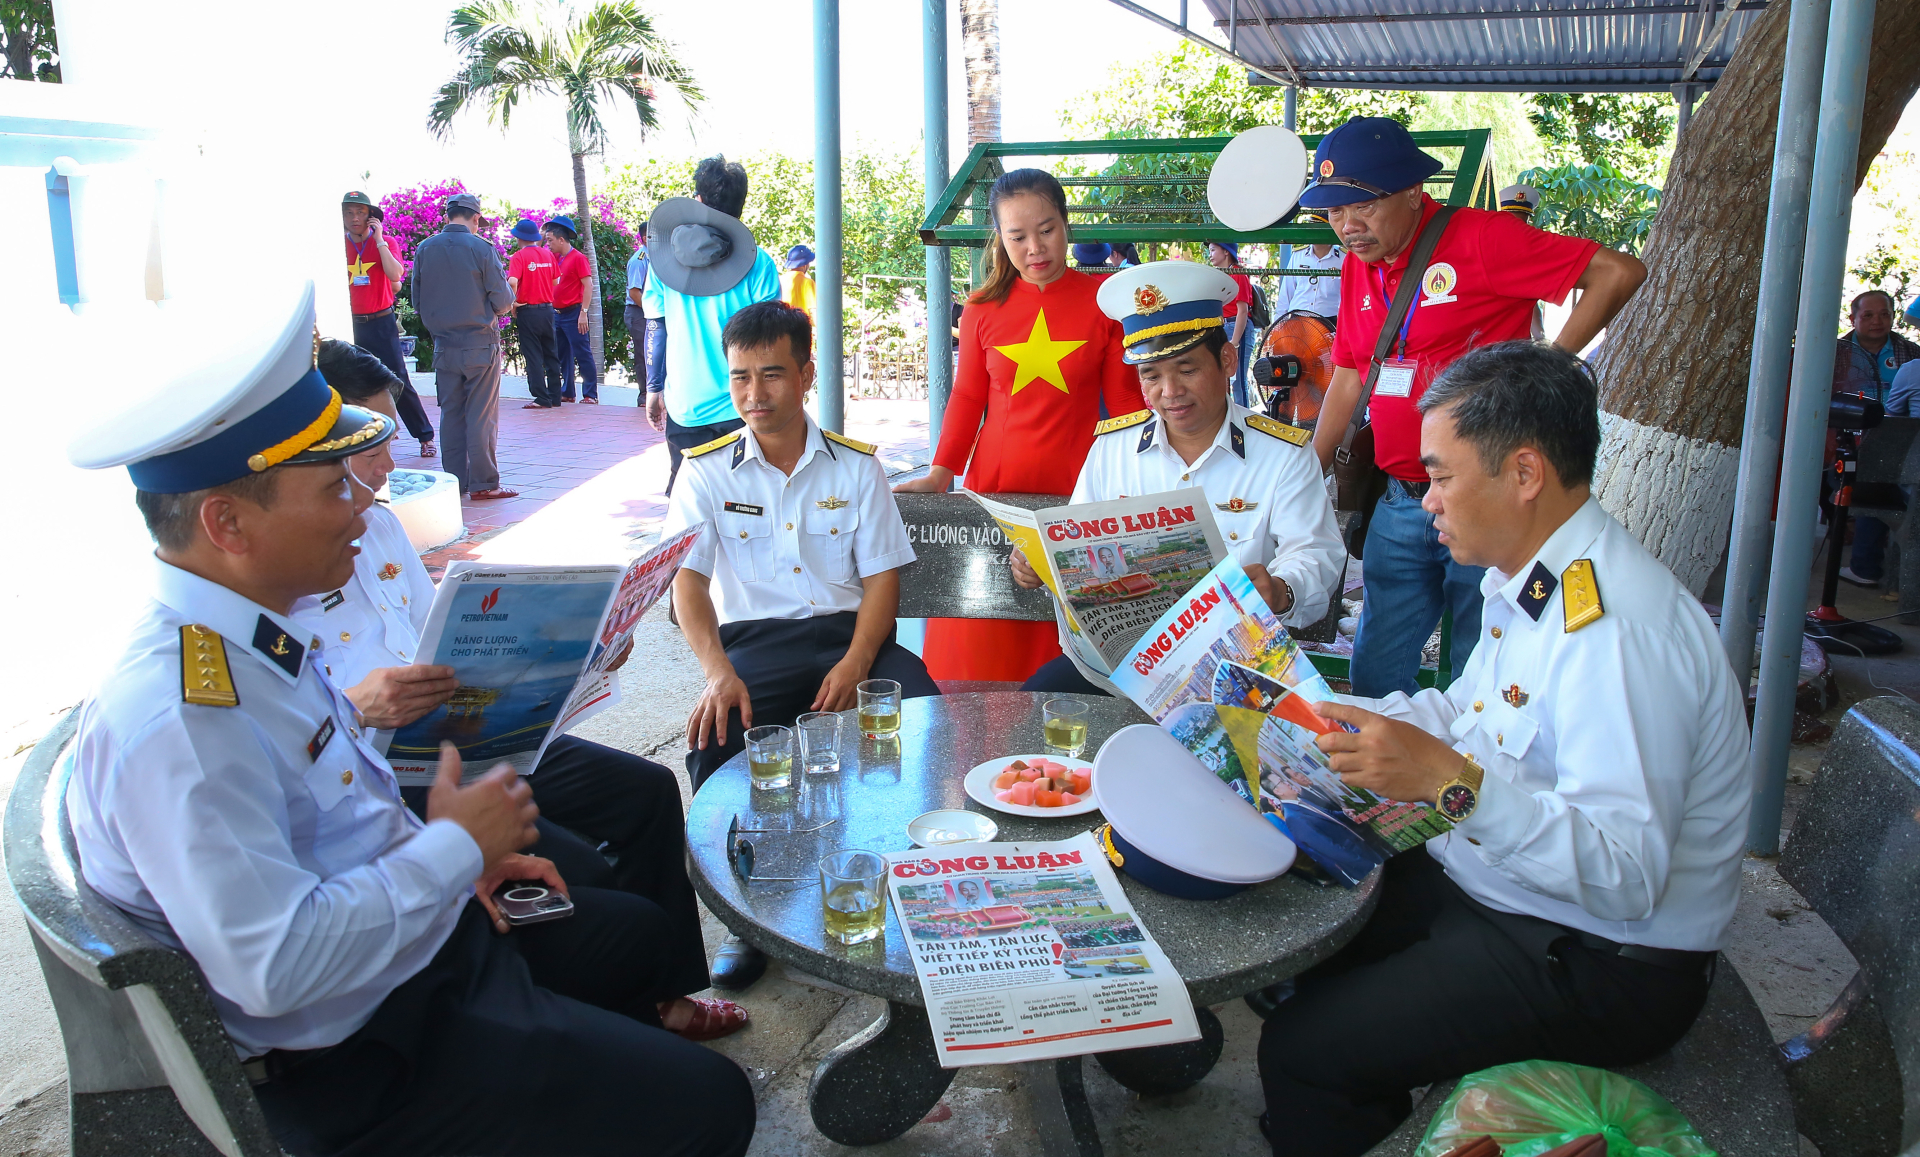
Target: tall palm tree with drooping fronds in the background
588,55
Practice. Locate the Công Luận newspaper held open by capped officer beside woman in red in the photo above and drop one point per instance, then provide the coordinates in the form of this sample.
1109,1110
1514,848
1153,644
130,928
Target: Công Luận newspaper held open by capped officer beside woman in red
1113,567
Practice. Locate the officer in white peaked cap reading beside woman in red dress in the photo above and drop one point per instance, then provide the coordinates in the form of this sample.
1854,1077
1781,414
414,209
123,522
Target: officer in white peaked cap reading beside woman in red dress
1260,475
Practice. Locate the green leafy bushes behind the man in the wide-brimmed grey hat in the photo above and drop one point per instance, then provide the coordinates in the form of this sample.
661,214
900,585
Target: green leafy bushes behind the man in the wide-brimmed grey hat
882,199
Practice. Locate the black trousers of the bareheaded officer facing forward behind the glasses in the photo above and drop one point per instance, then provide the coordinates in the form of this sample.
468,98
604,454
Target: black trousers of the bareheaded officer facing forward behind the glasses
782,661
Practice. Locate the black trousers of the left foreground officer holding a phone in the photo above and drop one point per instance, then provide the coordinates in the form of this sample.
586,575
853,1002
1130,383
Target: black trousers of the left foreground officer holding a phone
535,1043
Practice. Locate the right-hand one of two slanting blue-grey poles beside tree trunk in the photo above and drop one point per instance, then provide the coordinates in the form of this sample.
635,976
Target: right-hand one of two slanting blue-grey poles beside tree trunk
1850,35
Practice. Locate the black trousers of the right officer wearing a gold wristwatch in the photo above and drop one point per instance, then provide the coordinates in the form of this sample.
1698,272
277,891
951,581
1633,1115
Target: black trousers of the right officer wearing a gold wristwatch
1439,985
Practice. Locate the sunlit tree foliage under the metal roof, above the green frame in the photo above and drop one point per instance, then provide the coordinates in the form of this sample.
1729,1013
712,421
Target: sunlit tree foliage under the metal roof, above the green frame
1191,93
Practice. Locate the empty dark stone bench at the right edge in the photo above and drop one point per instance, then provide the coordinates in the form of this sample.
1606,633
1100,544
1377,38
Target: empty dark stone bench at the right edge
1856,857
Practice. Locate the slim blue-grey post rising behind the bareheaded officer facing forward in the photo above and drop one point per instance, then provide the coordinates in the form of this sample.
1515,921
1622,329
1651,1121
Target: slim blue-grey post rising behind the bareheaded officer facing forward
828,331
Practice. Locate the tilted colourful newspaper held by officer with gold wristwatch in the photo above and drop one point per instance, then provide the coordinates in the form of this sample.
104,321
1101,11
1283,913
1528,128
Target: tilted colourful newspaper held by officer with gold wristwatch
1224,678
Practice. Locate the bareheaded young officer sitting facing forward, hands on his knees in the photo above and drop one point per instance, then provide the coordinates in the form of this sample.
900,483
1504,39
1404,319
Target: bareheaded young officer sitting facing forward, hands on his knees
790,602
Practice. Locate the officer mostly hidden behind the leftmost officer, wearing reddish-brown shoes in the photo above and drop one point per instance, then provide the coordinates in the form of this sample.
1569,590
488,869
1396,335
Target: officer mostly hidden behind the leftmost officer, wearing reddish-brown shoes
617,799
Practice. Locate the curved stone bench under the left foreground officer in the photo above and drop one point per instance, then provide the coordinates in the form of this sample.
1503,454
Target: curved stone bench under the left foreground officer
149,1064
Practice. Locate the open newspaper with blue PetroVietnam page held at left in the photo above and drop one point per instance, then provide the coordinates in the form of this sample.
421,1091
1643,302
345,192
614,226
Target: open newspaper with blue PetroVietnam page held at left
531,648
